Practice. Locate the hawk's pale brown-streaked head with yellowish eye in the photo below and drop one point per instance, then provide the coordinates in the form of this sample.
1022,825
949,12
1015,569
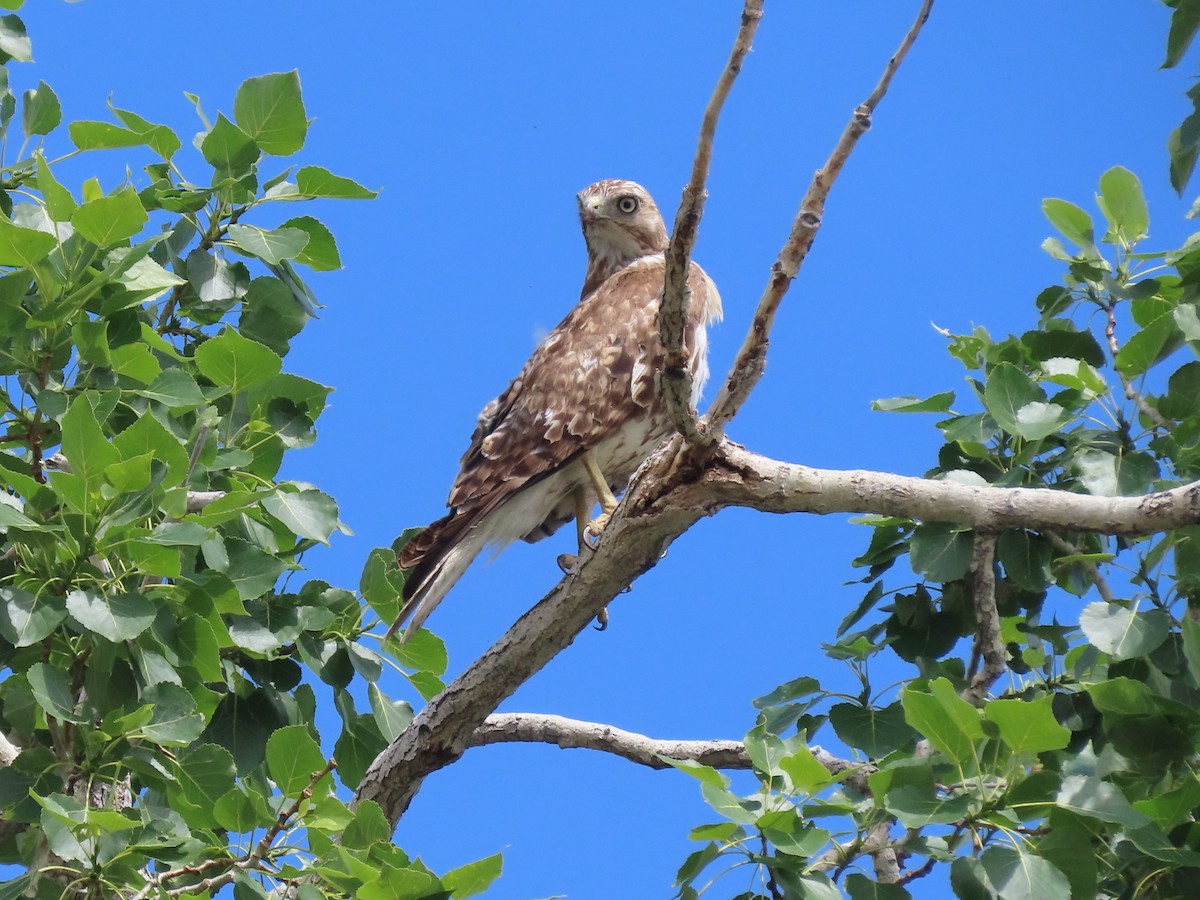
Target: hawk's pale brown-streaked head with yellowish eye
621,224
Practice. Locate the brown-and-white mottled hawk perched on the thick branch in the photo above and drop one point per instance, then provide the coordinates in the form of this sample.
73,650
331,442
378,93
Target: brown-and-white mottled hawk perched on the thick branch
583,415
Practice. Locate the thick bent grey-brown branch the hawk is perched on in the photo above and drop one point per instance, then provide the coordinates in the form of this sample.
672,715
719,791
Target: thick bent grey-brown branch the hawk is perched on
657,511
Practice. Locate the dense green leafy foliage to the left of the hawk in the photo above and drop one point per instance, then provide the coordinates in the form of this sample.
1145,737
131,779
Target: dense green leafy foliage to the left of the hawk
161,669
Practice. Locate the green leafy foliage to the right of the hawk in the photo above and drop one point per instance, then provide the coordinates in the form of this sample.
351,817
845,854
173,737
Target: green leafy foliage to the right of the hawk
1078,777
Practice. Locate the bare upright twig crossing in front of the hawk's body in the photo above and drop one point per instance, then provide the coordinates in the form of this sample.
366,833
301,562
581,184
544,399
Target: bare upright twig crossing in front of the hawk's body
676,385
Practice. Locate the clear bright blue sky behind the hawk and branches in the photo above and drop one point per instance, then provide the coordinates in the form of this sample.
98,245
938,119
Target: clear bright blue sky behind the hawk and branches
481,122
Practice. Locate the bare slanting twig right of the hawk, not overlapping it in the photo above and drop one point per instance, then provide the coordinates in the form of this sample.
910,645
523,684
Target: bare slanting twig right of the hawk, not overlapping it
752,358
